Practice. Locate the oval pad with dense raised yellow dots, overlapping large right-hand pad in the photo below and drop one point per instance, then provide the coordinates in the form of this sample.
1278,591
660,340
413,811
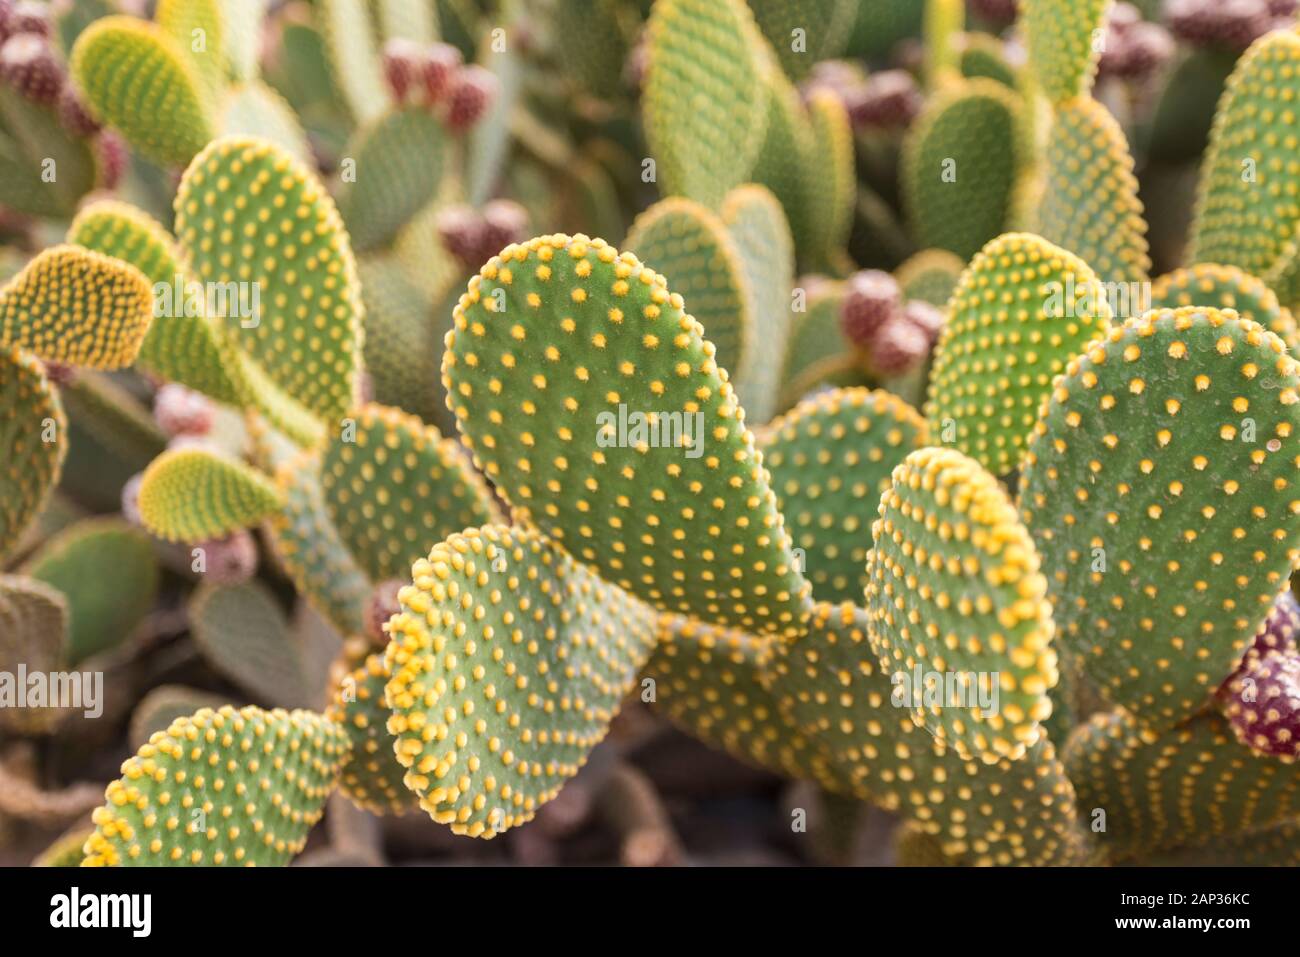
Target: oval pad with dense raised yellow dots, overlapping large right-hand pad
959,608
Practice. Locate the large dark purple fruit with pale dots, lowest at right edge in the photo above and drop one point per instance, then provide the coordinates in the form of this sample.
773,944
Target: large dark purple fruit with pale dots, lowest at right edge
1262,703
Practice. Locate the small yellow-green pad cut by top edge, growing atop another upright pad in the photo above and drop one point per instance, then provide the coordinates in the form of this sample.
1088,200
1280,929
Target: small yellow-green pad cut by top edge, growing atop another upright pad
1060,40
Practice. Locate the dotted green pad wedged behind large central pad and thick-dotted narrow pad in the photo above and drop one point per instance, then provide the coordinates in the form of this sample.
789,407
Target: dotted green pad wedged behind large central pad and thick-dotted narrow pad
831,460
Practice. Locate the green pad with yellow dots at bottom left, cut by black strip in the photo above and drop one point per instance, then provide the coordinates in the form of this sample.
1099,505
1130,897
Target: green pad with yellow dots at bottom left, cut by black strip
220,789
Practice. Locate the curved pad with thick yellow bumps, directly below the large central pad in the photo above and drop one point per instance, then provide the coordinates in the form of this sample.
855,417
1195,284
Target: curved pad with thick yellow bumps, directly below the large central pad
509,661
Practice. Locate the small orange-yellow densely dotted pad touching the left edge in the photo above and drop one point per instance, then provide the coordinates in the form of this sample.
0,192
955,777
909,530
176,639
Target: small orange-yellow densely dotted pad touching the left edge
77,308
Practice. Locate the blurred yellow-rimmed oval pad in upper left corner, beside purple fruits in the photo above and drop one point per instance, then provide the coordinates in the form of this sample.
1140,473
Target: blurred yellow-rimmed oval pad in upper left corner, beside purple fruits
138,81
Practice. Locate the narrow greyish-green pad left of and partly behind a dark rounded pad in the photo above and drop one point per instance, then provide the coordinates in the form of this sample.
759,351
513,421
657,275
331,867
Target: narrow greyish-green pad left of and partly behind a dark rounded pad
310,548
